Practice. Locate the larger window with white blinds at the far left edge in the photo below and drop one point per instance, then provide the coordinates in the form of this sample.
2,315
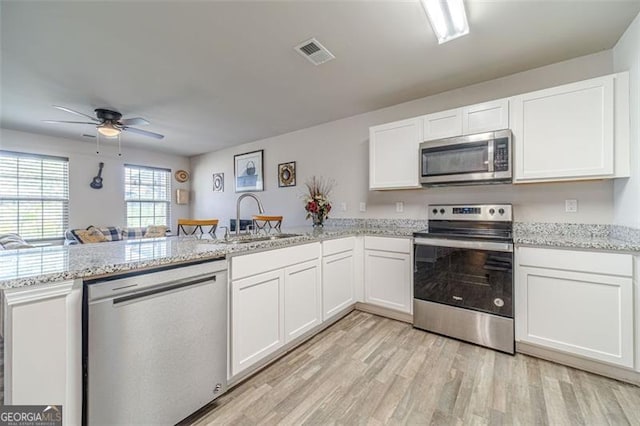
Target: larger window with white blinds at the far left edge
34,195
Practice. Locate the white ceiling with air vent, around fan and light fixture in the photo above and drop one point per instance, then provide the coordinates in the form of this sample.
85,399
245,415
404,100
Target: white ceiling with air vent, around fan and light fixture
212,74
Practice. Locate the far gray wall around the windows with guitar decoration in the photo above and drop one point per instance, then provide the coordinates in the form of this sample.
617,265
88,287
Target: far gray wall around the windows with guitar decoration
89,206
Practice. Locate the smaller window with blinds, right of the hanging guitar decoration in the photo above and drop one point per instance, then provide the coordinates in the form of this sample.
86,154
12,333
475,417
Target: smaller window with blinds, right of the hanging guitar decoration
147,192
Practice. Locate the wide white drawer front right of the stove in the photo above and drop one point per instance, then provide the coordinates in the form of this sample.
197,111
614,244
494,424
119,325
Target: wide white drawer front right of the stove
580,261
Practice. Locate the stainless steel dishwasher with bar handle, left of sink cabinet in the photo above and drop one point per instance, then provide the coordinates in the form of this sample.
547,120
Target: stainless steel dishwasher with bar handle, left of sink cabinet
154,344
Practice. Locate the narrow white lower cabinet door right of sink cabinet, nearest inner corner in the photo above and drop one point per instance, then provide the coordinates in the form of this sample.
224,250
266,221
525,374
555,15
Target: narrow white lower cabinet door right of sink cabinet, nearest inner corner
338,283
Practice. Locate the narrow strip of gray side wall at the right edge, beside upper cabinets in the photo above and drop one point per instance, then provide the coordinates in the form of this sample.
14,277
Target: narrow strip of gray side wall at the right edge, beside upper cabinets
626,56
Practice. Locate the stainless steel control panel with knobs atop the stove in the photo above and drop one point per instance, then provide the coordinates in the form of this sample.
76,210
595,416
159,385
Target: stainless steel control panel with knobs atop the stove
479,212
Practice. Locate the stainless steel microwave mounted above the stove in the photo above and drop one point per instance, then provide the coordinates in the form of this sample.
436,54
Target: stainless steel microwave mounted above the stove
464,160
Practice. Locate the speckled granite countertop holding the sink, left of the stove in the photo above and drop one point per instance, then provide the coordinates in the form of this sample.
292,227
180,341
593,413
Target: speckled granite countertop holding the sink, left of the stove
40,265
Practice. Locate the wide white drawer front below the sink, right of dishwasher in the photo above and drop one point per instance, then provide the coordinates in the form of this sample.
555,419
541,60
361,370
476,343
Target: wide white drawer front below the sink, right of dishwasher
256,263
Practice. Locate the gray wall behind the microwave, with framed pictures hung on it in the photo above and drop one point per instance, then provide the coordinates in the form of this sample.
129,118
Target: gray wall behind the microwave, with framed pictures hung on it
339,150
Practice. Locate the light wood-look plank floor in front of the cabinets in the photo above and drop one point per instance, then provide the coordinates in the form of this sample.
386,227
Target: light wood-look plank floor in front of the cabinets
371,370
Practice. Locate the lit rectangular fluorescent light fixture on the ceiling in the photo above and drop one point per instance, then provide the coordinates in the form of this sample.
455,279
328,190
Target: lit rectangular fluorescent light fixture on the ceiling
448,18
